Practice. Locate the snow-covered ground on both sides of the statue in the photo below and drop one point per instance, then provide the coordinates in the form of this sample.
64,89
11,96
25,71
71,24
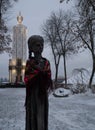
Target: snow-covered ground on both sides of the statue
76,112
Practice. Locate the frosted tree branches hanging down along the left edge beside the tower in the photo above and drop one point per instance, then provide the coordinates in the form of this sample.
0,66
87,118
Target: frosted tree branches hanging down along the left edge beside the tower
5,38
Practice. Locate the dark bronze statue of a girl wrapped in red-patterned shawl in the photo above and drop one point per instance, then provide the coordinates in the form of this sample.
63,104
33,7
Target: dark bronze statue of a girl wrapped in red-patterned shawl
38,83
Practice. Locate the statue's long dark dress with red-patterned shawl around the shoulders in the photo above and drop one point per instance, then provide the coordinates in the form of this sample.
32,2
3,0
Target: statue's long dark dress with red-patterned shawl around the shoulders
38,84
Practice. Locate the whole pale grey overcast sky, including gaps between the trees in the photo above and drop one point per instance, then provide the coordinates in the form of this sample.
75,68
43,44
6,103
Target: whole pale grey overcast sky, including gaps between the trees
34,13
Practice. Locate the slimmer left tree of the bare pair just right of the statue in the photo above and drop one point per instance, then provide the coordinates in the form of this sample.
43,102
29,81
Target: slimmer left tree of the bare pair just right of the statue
50,35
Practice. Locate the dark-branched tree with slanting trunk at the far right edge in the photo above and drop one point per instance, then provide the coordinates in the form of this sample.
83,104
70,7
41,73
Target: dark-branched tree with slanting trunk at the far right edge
86,28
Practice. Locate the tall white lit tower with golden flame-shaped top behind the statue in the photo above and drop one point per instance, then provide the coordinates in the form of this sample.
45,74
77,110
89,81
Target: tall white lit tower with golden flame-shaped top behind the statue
19,52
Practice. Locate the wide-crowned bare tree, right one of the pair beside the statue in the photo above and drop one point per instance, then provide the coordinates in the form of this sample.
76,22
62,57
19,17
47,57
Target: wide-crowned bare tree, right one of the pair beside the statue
59,30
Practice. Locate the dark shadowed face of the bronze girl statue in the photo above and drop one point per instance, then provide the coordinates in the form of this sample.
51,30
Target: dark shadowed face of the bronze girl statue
37,47
